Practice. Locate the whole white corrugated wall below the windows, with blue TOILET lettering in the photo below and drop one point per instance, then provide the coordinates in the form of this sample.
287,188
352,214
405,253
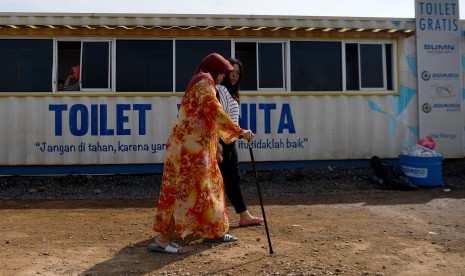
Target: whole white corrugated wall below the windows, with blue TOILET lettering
312,128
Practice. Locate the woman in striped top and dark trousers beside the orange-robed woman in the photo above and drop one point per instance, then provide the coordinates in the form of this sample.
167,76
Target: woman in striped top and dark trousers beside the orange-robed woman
229,98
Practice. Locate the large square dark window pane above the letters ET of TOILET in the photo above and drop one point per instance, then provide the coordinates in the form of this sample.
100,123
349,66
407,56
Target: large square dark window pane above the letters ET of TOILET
144,65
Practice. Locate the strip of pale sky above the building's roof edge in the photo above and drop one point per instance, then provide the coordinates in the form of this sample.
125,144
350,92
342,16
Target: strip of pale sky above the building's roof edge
344,8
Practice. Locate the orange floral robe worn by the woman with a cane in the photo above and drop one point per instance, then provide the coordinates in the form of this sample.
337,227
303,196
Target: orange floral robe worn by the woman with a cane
192,188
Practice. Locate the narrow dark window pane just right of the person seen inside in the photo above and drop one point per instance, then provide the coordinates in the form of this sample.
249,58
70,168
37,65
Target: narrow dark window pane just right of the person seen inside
95,65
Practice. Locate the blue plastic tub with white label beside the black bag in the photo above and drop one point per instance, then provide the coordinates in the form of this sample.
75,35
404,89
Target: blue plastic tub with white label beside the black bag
422,171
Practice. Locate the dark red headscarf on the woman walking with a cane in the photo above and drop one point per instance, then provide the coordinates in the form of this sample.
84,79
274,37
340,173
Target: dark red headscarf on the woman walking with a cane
211,66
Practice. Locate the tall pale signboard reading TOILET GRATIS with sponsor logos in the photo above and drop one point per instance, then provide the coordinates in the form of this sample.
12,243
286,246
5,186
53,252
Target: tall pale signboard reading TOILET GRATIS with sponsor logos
439,75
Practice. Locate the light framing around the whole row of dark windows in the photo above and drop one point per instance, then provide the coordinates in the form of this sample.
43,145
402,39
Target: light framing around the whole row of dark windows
390,79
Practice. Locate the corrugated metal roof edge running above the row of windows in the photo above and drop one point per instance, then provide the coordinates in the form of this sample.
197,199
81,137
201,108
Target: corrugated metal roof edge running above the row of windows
253,21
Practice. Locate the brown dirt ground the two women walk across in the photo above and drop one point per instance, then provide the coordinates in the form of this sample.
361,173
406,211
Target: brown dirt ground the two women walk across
377,233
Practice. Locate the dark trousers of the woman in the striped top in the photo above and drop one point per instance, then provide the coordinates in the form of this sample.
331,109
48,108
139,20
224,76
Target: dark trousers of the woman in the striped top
231,178
